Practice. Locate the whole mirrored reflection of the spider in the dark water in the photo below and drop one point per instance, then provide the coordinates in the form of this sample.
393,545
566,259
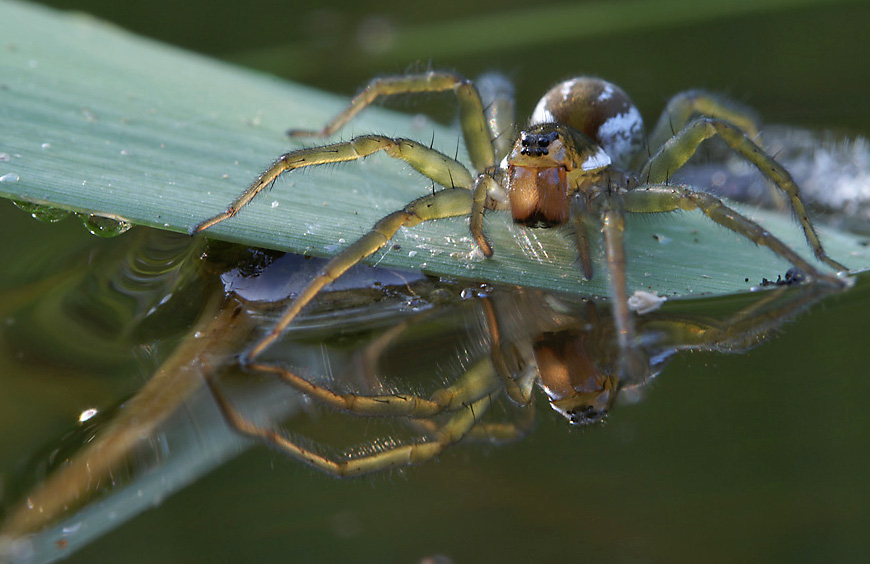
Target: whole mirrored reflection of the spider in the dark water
563,346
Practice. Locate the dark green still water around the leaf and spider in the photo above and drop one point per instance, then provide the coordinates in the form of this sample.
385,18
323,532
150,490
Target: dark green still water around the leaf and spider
759,456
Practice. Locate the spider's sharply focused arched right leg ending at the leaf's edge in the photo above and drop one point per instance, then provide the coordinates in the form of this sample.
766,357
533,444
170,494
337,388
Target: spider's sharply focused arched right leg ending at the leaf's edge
677,150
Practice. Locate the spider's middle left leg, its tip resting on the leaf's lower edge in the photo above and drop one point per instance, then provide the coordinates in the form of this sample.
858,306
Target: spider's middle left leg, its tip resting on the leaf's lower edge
435,165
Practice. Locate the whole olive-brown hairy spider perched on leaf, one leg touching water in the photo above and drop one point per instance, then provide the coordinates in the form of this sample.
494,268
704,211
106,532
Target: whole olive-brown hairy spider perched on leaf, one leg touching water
584,160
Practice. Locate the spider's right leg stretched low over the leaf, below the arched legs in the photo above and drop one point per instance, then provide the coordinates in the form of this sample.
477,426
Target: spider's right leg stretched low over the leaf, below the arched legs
652,199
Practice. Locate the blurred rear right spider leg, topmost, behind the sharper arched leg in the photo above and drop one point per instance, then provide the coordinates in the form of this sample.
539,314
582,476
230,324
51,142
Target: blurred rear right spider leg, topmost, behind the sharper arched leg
681,107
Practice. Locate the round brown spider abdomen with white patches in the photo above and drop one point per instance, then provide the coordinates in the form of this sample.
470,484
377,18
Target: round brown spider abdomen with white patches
599,109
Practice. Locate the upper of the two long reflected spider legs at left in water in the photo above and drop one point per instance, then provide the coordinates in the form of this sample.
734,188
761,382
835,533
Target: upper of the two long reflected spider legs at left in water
477,382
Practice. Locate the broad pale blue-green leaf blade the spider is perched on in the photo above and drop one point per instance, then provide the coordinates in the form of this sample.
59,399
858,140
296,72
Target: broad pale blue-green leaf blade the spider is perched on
96,120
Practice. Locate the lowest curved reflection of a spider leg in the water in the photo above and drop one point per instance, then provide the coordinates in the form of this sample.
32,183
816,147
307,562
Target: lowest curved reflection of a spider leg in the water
456,427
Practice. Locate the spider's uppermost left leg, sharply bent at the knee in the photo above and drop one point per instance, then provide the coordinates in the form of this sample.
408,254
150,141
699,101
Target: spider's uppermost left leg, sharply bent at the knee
471,110
